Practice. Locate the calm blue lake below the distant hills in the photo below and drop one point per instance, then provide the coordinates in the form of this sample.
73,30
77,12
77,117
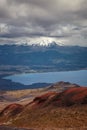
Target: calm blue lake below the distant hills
78,77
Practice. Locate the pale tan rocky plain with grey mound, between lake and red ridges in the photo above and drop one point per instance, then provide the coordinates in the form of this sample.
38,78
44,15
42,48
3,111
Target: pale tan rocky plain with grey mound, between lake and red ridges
25,96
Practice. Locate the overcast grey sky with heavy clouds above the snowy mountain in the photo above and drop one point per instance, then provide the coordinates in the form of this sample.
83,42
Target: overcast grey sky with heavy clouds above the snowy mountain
63,21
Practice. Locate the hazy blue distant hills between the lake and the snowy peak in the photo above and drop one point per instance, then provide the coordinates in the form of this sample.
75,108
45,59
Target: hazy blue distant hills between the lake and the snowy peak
52,57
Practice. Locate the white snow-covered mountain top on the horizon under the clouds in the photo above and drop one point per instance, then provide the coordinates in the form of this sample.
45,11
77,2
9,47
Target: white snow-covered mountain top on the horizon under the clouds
42,41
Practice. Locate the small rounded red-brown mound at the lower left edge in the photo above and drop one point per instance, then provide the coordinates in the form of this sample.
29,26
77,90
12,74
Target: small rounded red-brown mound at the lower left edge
12,110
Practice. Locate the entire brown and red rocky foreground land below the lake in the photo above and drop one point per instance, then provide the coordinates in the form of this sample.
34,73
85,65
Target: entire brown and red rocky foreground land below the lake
60,106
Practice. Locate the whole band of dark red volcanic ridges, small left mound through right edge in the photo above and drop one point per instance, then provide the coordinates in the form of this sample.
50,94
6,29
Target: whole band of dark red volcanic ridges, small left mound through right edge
69,97
